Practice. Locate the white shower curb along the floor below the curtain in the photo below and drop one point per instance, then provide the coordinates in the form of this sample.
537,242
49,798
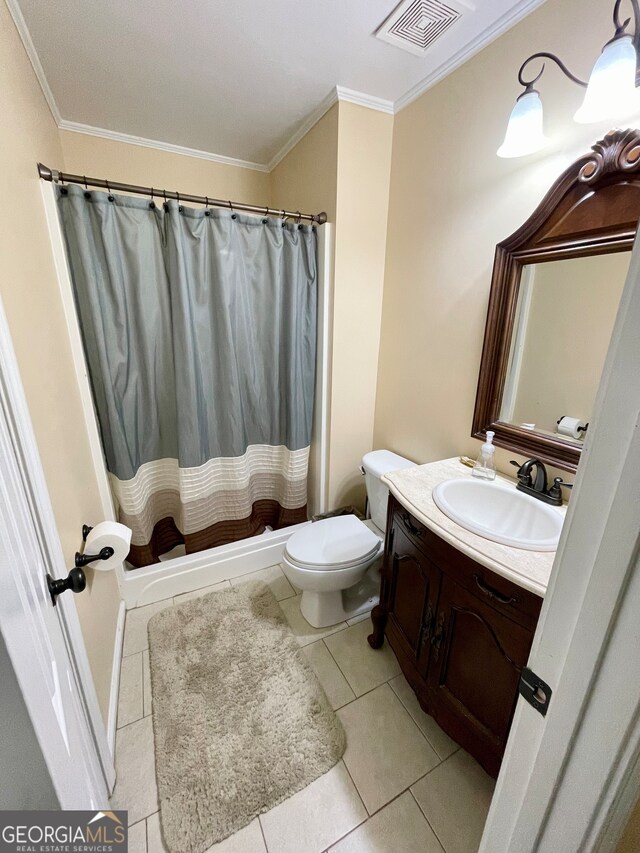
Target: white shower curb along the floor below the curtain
185,574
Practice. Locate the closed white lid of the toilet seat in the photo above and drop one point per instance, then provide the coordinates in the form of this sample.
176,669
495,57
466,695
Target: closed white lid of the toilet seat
333,542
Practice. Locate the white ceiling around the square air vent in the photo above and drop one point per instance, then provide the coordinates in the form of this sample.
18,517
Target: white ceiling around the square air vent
241,79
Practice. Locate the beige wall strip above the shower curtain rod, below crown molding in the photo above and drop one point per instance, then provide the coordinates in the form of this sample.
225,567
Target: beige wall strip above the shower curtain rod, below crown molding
136,164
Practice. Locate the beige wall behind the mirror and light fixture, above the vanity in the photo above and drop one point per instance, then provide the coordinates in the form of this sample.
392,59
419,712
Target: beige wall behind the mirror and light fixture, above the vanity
451,201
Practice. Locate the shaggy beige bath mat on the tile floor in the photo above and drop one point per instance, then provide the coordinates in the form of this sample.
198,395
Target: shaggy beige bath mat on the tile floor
240,721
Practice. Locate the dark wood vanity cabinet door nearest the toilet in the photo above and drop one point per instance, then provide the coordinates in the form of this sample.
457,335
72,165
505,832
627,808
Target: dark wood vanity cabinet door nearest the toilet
411,601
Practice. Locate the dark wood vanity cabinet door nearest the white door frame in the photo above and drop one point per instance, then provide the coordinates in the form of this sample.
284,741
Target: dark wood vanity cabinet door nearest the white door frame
477,655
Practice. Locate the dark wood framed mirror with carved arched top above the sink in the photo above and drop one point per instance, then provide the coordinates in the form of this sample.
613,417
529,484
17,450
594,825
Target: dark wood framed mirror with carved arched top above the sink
543,342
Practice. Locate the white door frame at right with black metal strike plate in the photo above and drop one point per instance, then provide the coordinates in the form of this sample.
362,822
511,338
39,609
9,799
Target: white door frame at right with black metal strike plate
568,779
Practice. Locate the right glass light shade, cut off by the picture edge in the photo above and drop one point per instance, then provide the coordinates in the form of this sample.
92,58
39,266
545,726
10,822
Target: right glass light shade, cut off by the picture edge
611,92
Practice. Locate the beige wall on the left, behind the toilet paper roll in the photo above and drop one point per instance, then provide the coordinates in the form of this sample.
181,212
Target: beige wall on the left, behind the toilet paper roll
29,292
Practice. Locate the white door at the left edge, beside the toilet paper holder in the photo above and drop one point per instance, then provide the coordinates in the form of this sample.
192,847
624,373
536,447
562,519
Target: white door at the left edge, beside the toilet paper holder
32,630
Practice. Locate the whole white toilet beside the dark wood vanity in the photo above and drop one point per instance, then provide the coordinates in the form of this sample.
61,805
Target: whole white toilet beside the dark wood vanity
336,561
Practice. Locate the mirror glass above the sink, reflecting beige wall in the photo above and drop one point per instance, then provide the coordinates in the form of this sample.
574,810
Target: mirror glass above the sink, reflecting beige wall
564,319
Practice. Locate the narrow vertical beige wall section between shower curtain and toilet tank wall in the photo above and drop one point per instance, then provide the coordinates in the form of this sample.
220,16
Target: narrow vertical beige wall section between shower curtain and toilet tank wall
364,163
